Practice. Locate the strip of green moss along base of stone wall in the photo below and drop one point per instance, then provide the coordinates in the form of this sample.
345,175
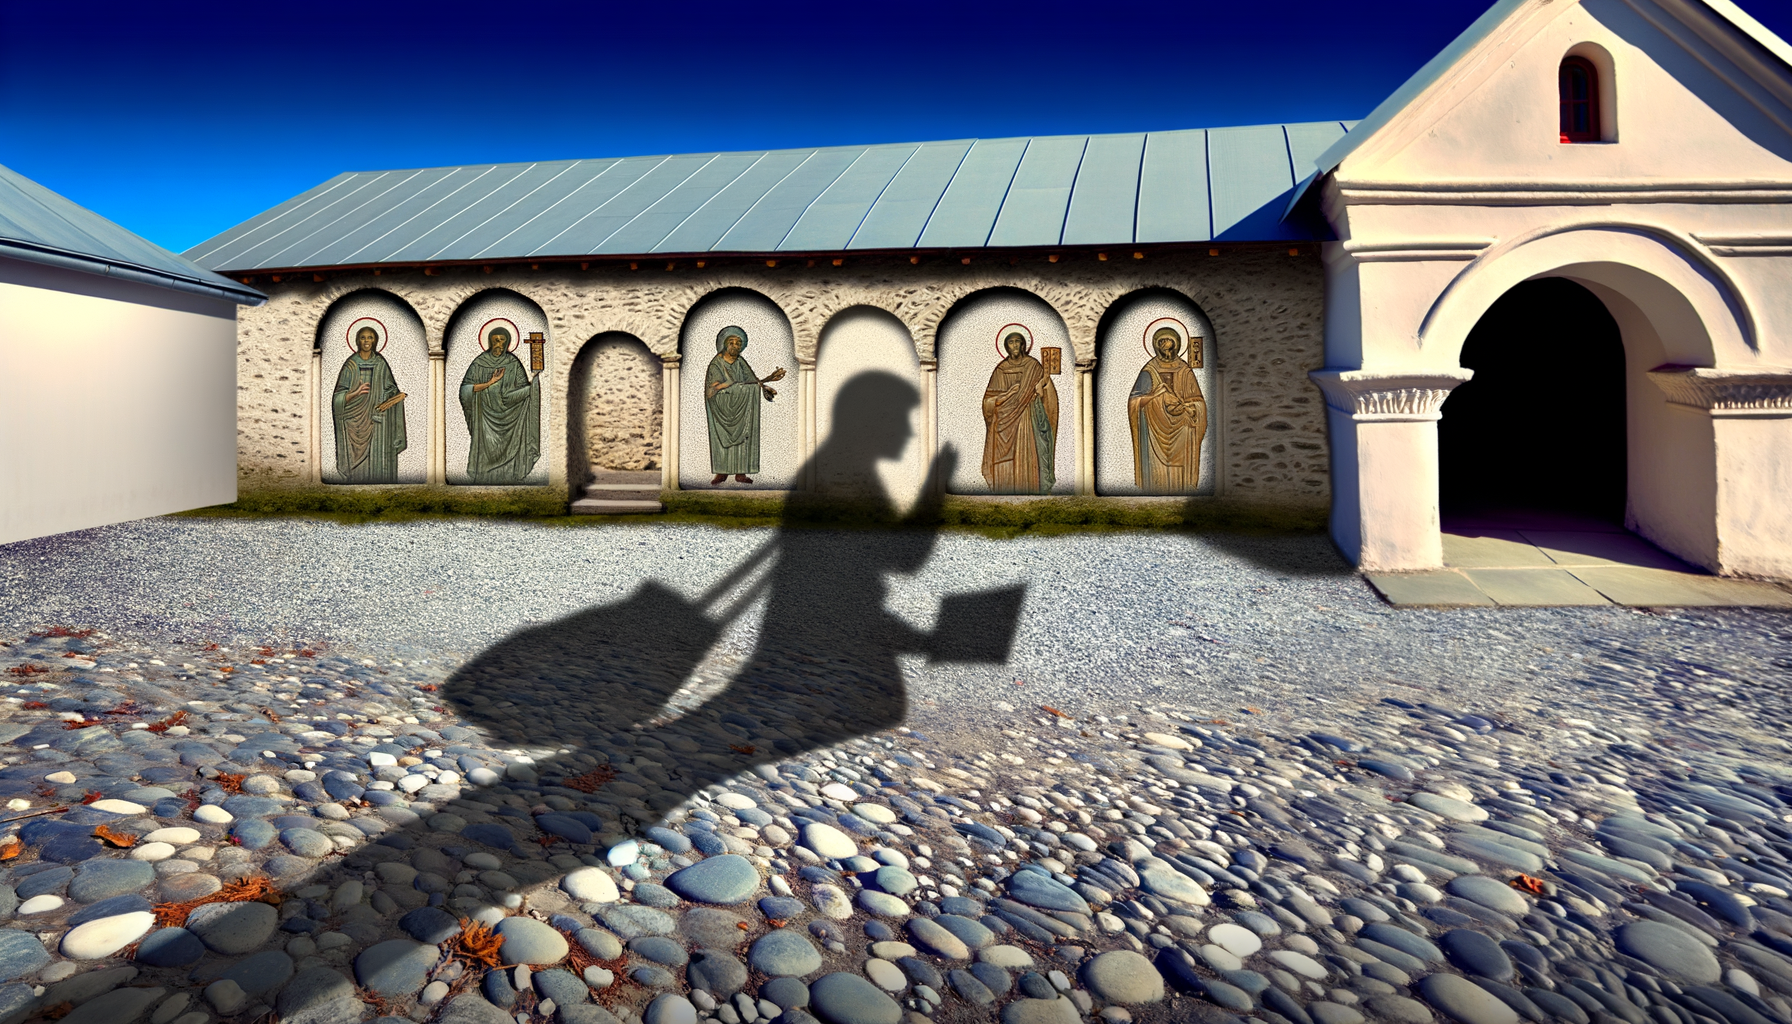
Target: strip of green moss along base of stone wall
994,517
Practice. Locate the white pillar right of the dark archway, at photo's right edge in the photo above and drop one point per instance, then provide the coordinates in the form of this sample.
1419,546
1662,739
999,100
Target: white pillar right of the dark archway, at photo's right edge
1752,435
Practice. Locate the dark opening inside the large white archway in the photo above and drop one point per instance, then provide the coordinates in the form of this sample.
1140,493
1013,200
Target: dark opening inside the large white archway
1540,431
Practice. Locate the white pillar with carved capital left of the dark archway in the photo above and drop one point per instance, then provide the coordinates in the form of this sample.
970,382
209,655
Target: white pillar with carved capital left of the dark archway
1384,464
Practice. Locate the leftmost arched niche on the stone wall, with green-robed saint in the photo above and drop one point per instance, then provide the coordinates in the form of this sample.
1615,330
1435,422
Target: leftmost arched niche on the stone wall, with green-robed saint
372,446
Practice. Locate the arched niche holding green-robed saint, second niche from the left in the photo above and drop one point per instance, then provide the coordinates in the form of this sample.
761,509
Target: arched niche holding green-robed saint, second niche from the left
524,422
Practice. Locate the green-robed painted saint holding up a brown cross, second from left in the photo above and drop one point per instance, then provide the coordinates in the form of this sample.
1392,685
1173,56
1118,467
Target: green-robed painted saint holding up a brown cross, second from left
503,410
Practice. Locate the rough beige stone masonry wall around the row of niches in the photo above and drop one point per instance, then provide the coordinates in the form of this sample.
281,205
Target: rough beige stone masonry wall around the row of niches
1266,309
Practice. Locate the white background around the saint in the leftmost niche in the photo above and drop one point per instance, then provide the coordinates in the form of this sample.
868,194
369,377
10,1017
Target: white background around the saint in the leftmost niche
406,352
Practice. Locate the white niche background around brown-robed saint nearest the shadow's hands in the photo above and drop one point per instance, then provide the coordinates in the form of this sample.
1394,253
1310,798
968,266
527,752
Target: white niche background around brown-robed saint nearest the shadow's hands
969,354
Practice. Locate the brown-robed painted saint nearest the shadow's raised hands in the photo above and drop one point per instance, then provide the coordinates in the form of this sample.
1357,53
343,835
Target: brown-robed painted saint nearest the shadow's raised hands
1021,417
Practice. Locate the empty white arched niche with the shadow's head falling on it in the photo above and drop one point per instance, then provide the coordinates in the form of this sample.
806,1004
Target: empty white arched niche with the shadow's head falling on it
854,444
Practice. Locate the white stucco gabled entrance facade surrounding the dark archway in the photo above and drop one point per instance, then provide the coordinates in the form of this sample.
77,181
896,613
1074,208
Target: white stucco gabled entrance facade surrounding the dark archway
1680,221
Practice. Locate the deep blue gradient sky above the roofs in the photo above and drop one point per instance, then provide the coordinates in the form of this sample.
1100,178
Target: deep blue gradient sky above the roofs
184,119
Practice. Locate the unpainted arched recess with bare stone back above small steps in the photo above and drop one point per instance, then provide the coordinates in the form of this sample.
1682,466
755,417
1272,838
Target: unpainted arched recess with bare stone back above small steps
614,408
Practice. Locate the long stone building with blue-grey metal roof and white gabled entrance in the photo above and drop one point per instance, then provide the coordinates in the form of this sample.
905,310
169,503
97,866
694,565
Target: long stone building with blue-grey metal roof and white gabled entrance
1635,153
